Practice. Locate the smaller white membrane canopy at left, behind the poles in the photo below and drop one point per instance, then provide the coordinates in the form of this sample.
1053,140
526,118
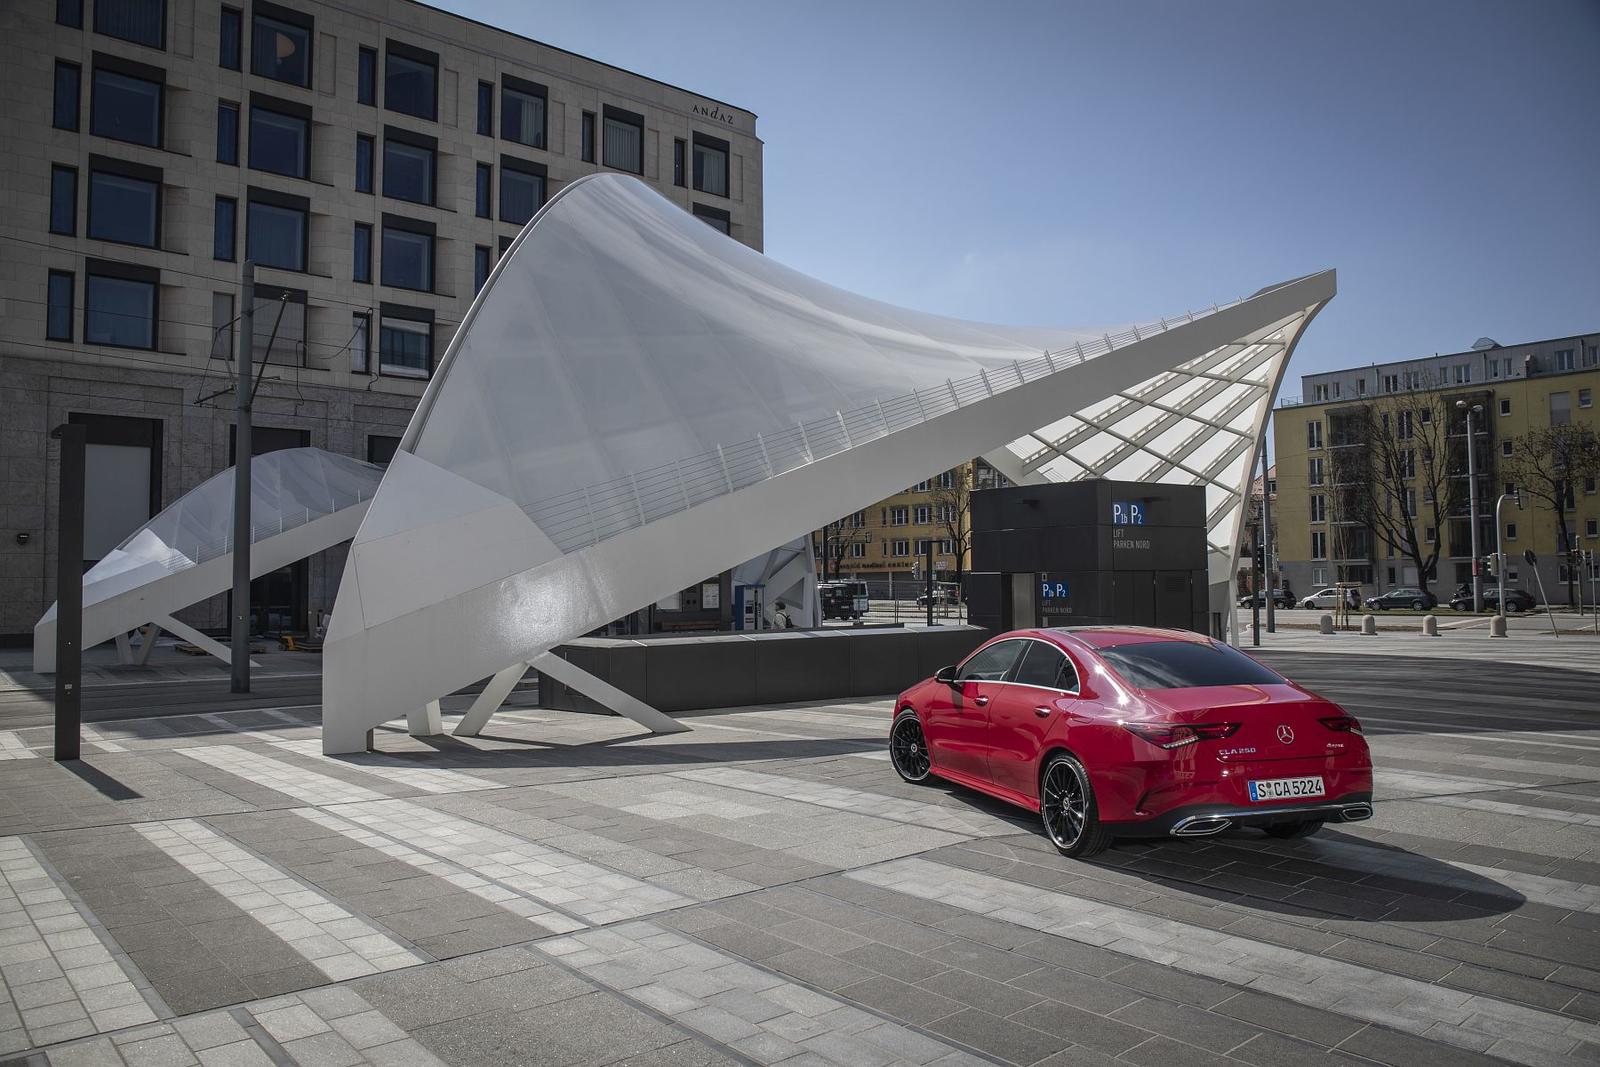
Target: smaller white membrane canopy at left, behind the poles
154,570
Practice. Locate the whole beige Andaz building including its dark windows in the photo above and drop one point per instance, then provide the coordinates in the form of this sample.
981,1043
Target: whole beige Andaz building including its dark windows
372,158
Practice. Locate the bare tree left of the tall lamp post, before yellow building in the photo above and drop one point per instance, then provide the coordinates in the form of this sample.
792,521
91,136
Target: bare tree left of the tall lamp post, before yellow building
1396,471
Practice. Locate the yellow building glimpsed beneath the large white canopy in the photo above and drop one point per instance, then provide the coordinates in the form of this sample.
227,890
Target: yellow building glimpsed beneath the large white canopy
890,538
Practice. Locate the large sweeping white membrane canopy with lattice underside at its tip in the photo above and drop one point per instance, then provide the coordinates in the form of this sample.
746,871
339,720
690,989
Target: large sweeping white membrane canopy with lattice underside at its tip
636,402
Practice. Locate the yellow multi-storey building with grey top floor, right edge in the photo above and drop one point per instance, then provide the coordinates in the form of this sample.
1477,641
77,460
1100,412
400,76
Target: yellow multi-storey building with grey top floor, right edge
1519,390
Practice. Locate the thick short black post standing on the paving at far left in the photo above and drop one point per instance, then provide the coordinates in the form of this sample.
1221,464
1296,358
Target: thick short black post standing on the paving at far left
70,594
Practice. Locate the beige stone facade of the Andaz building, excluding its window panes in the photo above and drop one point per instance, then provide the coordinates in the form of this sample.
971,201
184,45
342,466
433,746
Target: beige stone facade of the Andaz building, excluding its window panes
316,382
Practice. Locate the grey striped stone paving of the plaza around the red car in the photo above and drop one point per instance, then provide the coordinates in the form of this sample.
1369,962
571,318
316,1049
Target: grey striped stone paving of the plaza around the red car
209,889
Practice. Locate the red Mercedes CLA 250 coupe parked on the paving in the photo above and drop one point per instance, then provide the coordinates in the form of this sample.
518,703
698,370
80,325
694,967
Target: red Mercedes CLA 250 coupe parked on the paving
1127,732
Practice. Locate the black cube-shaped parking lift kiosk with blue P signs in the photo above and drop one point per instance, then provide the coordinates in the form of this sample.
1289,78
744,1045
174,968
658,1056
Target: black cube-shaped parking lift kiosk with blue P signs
1089,553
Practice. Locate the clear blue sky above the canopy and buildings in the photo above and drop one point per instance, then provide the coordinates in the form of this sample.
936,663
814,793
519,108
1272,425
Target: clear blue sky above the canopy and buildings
1105,162
